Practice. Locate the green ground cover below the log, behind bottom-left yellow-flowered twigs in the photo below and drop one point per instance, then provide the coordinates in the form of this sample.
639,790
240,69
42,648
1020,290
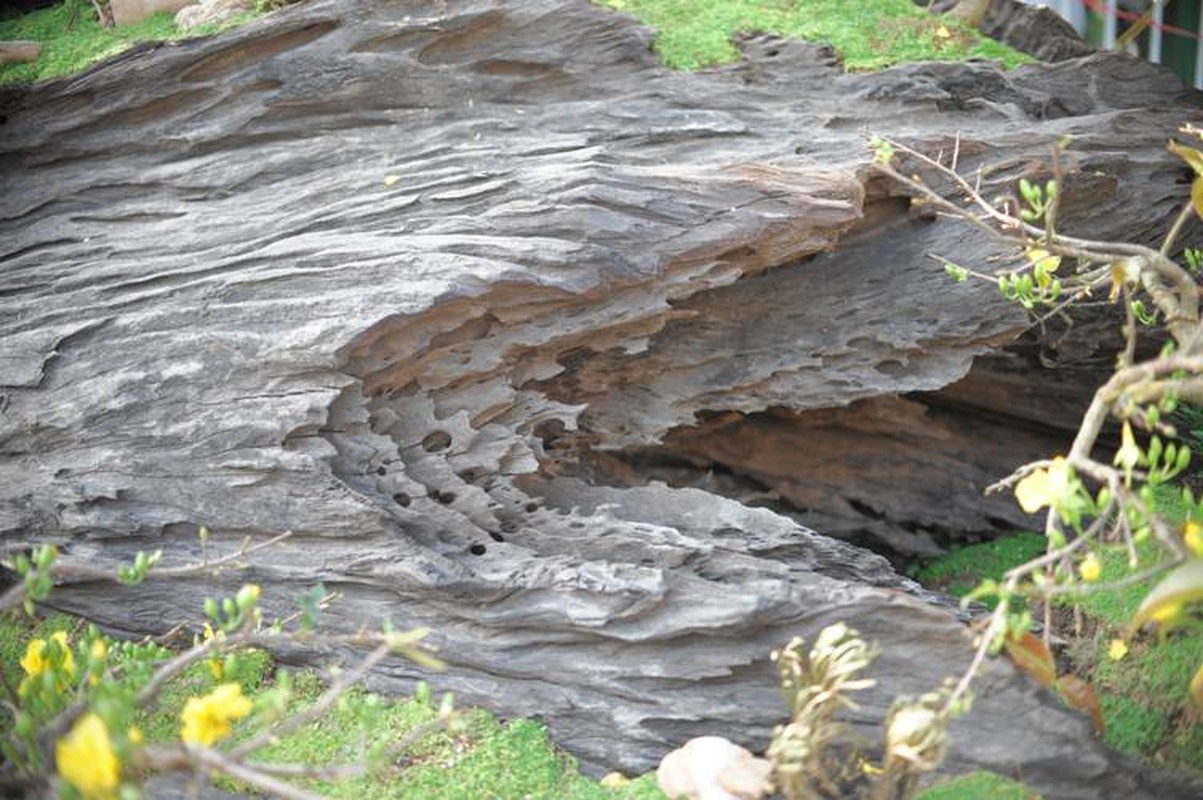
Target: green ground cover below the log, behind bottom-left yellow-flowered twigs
481,758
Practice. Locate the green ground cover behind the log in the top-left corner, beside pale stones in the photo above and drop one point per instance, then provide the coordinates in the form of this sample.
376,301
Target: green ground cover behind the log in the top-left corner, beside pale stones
73,39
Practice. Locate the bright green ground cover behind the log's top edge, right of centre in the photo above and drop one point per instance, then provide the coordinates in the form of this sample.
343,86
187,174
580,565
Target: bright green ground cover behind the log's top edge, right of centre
868,34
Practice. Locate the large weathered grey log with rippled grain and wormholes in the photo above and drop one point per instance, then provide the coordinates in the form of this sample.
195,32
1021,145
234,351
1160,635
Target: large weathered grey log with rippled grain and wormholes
406,280
